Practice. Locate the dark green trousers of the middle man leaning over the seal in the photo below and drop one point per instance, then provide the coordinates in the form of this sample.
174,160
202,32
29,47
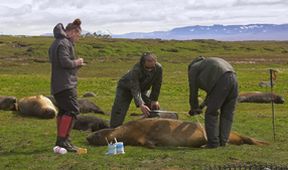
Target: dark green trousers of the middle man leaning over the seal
121,105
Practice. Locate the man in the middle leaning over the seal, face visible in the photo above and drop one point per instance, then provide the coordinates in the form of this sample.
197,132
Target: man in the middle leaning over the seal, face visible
136,84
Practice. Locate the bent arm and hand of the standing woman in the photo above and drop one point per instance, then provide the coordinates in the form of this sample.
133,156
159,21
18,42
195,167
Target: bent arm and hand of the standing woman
65,60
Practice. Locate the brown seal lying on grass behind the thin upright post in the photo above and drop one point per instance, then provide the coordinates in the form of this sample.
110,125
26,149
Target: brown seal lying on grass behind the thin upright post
259,97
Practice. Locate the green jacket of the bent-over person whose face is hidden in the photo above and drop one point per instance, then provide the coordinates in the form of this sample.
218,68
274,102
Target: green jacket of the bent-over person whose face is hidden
204,73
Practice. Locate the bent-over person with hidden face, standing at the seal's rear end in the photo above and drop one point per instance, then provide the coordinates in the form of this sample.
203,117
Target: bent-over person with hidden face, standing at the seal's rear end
217,77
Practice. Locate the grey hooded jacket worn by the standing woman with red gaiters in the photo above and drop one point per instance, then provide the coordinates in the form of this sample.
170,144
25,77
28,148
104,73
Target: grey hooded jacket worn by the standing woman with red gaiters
63,65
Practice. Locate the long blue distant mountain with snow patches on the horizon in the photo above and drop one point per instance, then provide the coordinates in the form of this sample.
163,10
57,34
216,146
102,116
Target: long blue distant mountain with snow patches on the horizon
217,32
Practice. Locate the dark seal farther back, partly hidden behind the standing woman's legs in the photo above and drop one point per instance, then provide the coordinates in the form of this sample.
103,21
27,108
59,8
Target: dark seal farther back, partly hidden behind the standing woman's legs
85,105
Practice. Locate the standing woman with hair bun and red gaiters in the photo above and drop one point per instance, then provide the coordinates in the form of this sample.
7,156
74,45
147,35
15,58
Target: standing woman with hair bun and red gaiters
64,66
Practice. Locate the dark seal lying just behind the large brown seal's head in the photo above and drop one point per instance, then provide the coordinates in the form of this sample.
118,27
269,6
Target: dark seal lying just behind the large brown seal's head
91,123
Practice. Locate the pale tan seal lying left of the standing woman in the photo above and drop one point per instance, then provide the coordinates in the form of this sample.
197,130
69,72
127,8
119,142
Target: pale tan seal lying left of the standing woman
37,106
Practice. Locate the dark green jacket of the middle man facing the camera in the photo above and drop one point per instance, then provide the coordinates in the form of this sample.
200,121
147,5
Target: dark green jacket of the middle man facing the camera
139,81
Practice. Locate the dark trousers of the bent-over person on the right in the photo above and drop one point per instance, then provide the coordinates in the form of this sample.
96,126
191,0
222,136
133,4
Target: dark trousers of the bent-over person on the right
222,98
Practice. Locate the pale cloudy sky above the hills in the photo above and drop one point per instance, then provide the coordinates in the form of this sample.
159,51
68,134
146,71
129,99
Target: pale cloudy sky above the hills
35,17
